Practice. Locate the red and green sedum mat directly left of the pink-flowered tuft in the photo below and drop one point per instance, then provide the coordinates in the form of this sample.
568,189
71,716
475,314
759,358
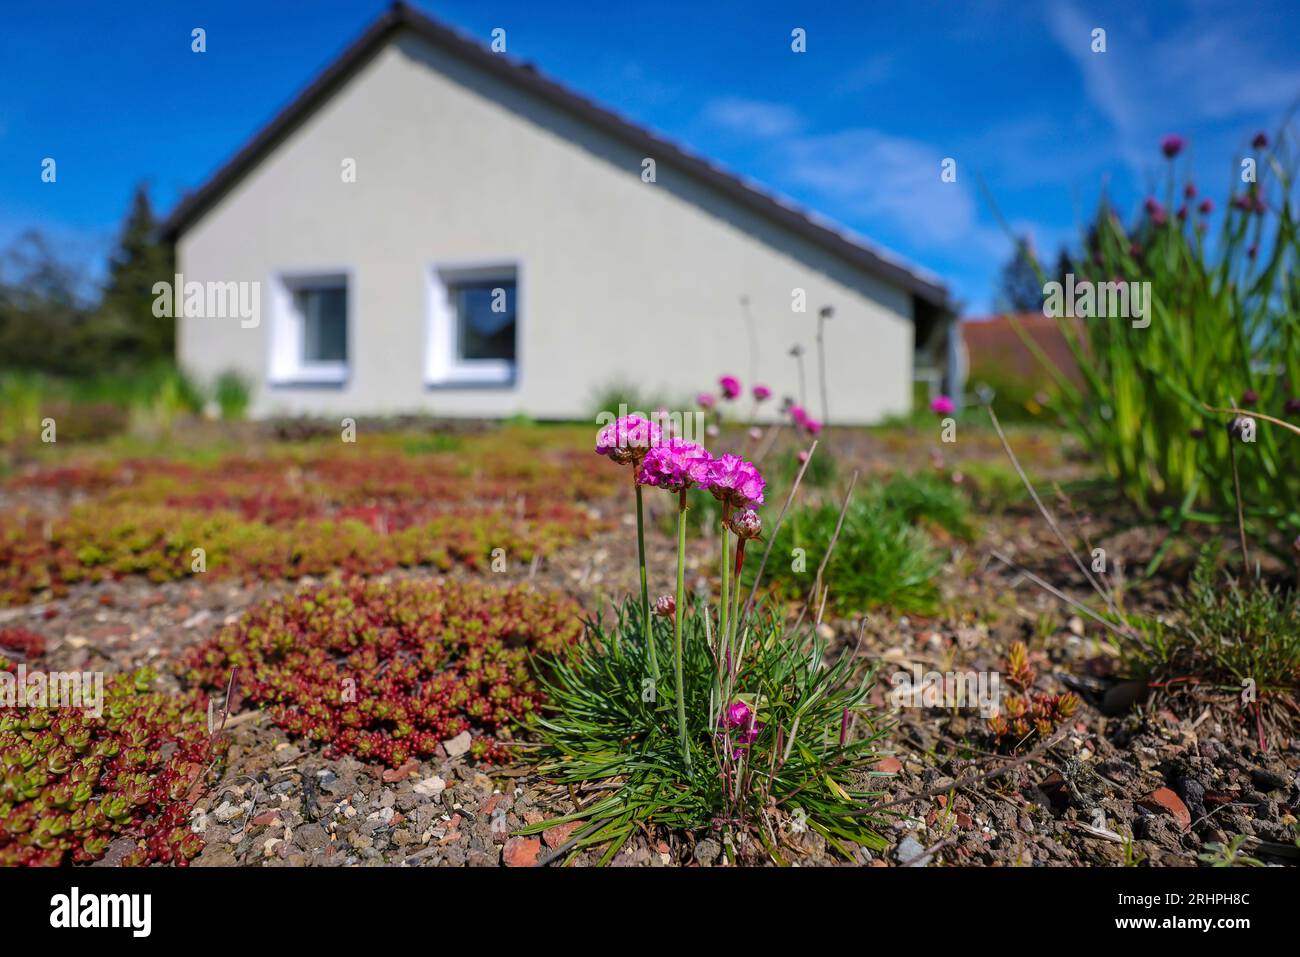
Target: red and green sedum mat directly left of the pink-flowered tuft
388,672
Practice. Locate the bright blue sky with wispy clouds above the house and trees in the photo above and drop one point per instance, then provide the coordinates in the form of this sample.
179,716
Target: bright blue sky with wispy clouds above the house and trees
855,129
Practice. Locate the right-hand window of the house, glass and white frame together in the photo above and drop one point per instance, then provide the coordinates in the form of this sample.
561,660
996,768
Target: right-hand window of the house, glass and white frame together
474,326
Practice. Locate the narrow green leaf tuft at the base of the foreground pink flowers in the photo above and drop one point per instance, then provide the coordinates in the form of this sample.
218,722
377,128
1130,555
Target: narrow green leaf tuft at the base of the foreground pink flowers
599,726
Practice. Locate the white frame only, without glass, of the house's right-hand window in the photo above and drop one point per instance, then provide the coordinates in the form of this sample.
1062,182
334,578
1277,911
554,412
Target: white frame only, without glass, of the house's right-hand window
443,362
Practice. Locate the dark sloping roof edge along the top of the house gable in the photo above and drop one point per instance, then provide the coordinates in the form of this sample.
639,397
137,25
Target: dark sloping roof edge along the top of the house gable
400,16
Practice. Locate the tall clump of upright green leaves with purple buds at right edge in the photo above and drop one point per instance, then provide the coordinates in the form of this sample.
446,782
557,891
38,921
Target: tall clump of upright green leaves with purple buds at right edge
1224,324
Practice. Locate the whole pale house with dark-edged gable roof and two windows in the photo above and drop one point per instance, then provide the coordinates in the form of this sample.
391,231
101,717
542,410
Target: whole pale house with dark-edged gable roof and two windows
432,227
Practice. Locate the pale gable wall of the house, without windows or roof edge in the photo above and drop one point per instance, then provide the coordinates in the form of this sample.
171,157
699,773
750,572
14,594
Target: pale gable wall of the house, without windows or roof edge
621,279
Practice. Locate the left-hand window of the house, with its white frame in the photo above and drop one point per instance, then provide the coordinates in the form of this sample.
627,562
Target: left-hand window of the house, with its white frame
310,337
